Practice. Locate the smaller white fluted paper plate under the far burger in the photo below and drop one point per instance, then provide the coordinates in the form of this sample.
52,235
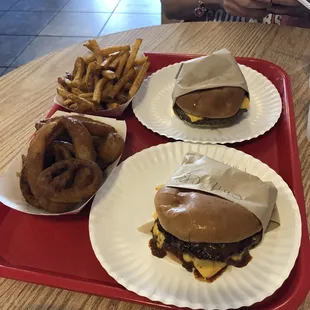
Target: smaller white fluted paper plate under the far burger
153,108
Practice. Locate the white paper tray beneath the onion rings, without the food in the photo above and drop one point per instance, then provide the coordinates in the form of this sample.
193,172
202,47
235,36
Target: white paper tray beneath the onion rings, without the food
10,193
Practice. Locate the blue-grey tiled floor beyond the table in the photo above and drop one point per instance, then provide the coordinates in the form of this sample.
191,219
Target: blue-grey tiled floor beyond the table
32,28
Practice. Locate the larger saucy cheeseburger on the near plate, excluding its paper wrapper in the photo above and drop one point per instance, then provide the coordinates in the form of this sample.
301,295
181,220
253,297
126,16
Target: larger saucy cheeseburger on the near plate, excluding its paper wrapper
205,233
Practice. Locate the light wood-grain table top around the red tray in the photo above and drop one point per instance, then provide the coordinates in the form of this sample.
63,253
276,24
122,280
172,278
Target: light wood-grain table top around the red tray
26,95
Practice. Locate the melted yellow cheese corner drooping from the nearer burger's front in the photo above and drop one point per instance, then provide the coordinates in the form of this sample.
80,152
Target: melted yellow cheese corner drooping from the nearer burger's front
205,267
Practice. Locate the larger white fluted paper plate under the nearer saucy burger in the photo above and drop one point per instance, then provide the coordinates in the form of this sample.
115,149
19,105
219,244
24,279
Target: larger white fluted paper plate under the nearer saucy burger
126,203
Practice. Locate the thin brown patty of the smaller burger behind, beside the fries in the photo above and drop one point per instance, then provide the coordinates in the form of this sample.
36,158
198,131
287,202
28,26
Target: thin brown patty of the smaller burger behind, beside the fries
209,122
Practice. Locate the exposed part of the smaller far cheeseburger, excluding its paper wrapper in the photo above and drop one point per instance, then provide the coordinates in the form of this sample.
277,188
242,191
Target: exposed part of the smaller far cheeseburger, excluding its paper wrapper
212,108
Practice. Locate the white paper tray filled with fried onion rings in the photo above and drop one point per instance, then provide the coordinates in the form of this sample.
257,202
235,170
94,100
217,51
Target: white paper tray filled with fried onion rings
64,164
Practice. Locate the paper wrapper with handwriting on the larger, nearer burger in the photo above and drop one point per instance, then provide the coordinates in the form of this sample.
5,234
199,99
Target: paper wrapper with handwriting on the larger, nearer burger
204,174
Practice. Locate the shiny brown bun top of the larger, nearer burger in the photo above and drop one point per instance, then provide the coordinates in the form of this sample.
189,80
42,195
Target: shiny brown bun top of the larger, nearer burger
199,217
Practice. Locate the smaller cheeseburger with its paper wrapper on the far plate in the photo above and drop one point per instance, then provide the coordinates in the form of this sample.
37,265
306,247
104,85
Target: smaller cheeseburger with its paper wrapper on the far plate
210,91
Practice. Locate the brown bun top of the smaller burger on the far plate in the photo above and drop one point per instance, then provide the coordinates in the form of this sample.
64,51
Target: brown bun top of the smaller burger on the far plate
219,102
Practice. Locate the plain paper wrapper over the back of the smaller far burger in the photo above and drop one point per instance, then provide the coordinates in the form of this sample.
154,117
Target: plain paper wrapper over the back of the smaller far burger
216,70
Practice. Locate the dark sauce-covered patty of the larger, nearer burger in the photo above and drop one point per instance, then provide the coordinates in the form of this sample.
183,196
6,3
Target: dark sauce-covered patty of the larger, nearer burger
221,252
